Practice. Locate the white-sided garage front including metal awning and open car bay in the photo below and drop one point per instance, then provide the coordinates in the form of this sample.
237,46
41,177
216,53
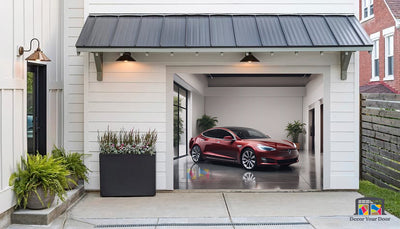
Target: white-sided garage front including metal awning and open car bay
254,74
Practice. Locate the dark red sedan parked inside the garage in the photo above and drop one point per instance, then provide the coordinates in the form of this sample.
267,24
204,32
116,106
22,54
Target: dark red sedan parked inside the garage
245,146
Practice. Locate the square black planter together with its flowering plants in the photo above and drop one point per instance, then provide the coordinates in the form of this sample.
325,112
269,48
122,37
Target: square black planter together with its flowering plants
127,163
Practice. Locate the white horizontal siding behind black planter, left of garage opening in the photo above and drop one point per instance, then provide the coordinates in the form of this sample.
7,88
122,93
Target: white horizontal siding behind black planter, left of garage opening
131,95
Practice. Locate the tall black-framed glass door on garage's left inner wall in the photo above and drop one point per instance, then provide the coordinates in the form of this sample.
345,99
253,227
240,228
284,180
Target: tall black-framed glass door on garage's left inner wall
180,121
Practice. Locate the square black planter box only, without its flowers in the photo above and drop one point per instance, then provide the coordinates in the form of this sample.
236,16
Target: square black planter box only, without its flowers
127,175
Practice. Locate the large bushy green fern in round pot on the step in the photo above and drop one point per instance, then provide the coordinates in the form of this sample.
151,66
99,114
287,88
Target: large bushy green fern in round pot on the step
37,180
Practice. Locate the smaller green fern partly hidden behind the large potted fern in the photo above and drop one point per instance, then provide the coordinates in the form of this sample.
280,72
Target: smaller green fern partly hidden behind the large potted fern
75,165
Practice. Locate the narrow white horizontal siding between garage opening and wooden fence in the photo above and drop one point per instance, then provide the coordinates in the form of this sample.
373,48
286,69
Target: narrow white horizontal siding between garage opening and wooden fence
344,128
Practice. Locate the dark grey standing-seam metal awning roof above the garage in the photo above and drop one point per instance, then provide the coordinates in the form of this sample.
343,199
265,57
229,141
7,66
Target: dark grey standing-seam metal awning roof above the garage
107,33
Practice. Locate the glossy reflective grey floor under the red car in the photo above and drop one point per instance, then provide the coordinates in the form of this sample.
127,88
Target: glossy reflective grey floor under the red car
304,175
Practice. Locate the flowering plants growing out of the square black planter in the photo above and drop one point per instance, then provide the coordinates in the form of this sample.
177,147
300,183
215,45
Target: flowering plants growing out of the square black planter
127,142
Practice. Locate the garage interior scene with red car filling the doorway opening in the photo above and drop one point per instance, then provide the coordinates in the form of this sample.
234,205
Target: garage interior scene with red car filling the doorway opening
264,102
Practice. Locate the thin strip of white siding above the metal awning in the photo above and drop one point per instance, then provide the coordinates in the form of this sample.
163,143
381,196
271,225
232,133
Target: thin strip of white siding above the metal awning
222,6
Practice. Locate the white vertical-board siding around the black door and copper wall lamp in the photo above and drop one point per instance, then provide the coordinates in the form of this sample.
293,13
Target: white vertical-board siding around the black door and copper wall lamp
23,20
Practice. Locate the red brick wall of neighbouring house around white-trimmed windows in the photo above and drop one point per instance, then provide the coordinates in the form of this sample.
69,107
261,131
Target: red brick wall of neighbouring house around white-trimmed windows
382,19
